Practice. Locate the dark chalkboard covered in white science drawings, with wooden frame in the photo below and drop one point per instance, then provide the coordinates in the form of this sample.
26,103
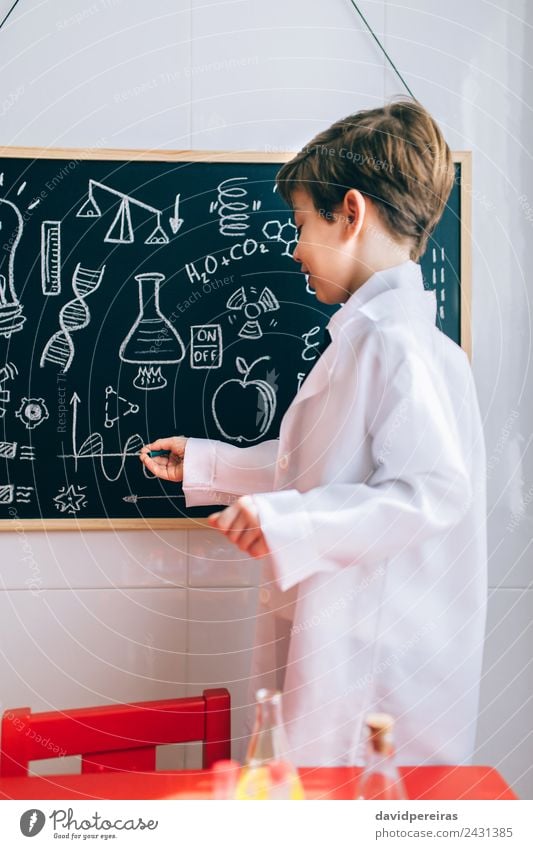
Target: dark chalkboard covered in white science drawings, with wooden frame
144,295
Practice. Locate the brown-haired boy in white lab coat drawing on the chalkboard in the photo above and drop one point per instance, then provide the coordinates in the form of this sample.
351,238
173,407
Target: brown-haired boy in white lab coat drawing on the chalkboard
370,507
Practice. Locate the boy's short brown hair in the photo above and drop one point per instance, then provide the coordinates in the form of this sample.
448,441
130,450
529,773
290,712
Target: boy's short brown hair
395,155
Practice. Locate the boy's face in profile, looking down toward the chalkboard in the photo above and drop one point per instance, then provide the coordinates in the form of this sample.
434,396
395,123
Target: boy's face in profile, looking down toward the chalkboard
323,250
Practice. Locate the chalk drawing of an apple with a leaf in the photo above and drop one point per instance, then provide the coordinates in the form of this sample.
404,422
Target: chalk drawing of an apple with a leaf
254,400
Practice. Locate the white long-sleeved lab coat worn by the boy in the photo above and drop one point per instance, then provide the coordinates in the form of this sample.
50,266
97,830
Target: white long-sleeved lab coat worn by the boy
373,506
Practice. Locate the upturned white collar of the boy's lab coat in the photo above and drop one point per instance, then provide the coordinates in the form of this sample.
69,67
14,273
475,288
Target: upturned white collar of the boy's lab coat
374,297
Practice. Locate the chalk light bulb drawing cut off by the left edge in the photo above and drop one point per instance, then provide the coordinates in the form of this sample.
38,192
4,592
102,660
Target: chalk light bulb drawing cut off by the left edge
11,228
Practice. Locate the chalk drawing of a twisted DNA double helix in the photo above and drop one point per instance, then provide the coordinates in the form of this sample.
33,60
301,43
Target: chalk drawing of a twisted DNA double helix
73,316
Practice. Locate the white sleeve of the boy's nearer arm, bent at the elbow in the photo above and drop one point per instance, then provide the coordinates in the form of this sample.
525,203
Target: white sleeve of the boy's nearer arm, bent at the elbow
419,485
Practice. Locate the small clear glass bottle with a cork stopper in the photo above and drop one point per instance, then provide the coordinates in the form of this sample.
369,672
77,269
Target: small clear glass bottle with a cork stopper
380,778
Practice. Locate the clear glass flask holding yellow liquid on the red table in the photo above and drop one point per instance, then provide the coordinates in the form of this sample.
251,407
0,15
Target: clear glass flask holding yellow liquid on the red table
268,772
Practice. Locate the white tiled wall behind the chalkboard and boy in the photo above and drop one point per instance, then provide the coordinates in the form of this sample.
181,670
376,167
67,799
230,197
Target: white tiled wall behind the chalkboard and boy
93,617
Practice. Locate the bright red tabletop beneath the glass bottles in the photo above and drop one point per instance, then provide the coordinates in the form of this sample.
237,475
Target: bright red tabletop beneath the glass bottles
426,782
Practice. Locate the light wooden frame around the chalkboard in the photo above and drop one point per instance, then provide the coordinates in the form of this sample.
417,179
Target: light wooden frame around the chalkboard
462,158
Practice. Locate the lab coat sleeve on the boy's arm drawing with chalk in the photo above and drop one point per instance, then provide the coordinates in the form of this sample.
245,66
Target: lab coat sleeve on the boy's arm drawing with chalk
217,473
